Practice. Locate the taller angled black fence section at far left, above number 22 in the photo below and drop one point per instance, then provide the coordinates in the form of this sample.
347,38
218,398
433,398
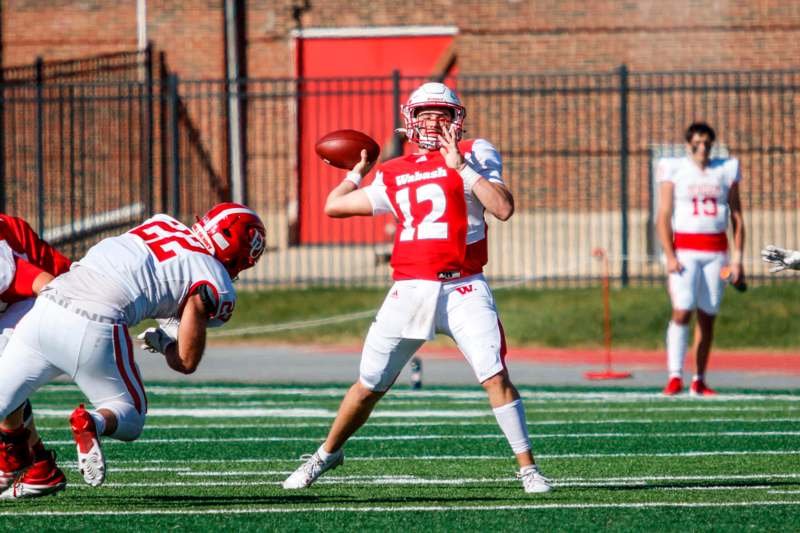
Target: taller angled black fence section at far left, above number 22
93,146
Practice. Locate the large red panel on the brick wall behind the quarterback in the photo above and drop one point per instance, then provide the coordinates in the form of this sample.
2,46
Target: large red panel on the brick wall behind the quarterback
365,104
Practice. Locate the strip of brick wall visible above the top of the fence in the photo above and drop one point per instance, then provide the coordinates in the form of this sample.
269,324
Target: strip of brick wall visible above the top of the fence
495,36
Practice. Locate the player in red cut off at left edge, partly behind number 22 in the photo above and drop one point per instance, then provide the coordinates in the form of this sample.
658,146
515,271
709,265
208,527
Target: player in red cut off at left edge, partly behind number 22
27,264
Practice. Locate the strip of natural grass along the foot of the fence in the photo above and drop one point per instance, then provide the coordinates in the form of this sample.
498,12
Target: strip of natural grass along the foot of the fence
758,319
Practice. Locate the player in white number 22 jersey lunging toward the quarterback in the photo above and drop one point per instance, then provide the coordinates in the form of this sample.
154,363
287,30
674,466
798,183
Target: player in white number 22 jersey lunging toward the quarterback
79,324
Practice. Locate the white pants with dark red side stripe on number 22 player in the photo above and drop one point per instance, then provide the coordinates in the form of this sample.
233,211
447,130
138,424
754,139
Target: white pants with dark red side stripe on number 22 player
51,340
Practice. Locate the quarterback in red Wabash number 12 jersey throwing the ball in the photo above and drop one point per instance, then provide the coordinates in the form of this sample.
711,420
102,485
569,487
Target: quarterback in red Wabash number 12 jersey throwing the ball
437,195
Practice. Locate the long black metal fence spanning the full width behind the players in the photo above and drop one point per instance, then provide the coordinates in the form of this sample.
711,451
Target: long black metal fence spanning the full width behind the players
578,149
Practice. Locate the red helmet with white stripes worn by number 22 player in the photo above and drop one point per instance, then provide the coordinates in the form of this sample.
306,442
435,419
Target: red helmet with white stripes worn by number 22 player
234,234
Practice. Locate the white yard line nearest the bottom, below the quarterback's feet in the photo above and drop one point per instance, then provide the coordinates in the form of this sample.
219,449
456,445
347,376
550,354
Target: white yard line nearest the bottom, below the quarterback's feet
411,508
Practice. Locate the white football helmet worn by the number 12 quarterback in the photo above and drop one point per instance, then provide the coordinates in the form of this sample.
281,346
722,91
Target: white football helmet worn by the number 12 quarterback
431,95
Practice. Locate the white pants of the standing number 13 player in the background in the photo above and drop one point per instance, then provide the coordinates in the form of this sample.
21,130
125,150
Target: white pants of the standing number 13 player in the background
698,285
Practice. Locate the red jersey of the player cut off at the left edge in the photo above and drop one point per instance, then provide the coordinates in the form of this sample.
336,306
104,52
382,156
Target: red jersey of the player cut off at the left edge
33,256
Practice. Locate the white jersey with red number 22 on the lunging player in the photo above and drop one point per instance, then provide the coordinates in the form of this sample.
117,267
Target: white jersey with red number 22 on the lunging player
147,272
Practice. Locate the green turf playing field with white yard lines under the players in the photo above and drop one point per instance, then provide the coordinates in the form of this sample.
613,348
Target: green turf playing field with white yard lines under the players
212,457
